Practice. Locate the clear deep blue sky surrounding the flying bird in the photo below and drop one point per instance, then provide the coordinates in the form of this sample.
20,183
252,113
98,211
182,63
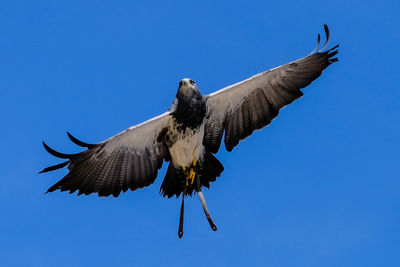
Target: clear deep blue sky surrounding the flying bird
318,187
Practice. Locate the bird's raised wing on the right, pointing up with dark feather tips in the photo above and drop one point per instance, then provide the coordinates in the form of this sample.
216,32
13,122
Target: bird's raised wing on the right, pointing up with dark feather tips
249,105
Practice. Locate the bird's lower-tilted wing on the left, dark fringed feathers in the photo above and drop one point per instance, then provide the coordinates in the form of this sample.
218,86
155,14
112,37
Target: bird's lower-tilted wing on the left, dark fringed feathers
128,160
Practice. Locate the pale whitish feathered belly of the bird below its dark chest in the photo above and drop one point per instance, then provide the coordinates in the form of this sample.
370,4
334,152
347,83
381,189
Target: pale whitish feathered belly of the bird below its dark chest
187,146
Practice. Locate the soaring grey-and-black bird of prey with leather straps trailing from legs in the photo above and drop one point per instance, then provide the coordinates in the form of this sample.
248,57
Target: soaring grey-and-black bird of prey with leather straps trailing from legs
188,135
